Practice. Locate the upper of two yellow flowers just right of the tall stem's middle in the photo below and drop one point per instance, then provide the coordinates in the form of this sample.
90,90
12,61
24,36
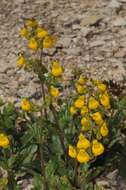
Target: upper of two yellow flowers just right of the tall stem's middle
56,70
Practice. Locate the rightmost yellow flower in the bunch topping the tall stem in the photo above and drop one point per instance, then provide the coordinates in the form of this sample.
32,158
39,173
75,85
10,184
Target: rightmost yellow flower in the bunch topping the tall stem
49,41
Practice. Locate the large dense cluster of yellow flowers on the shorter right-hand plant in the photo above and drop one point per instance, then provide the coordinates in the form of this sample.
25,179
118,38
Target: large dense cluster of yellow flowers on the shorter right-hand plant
91,102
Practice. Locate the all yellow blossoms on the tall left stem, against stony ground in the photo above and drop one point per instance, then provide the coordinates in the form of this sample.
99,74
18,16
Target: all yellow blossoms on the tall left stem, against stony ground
38,39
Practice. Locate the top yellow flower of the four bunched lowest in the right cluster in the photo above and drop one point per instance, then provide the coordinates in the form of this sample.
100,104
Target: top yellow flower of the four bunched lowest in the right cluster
83,142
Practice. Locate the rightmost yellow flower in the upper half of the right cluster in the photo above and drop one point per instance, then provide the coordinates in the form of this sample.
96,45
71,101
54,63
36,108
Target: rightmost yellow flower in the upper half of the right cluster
105,100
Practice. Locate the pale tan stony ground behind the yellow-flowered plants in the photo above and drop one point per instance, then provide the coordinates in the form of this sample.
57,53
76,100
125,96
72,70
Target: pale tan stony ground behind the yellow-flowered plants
92,36
